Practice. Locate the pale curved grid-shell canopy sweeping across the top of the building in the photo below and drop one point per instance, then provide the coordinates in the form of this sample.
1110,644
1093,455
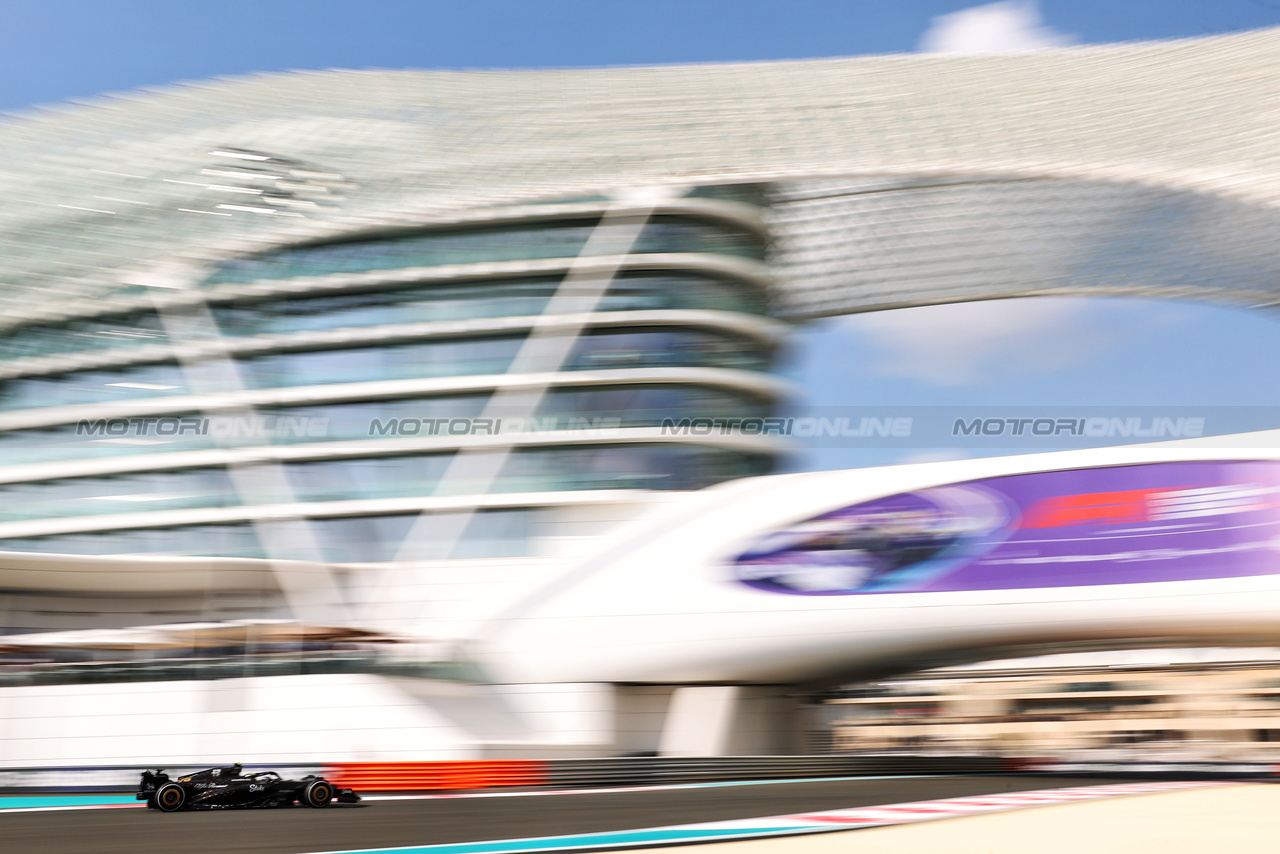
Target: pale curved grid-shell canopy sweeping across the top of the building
98,195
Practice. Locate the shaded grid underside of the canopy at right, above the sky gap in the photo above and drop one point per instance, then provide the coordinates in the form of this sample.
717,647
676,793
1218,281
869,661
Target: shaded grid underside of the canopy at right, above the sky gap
867,245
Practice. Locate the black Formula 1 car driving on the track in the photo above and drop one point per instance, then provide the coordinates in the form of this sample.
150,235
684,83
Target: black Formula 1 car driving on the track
232,788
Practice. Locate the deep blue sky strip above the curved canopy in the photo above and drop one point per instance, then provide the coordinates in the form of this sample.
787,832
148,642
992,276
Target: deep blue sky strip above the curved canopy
52,51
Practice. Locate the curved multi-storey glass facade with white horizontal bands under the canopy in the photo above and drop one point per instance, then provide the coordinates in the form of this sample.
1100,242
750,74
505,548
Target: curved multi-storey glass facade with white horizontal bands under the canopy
298,293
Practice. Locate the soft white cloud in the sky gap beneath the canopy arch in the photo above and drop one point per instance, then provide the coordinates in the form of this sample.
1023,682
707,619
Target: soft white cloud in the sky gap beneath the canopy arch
971,342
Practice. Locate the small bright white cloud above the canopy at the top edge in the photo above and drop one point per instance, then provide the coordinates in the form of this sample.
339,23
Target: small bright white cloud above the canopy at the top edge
996,28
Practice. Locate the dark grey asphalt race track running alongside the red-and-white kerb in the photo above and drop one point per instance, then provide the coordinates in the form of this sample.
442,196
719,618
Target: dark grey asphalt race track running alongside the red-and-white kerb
382,824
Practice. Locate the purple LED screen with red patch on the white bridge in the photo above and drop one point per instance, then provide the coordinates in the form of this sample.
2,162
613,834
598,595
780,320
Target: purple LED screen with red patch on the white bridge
1169,522
